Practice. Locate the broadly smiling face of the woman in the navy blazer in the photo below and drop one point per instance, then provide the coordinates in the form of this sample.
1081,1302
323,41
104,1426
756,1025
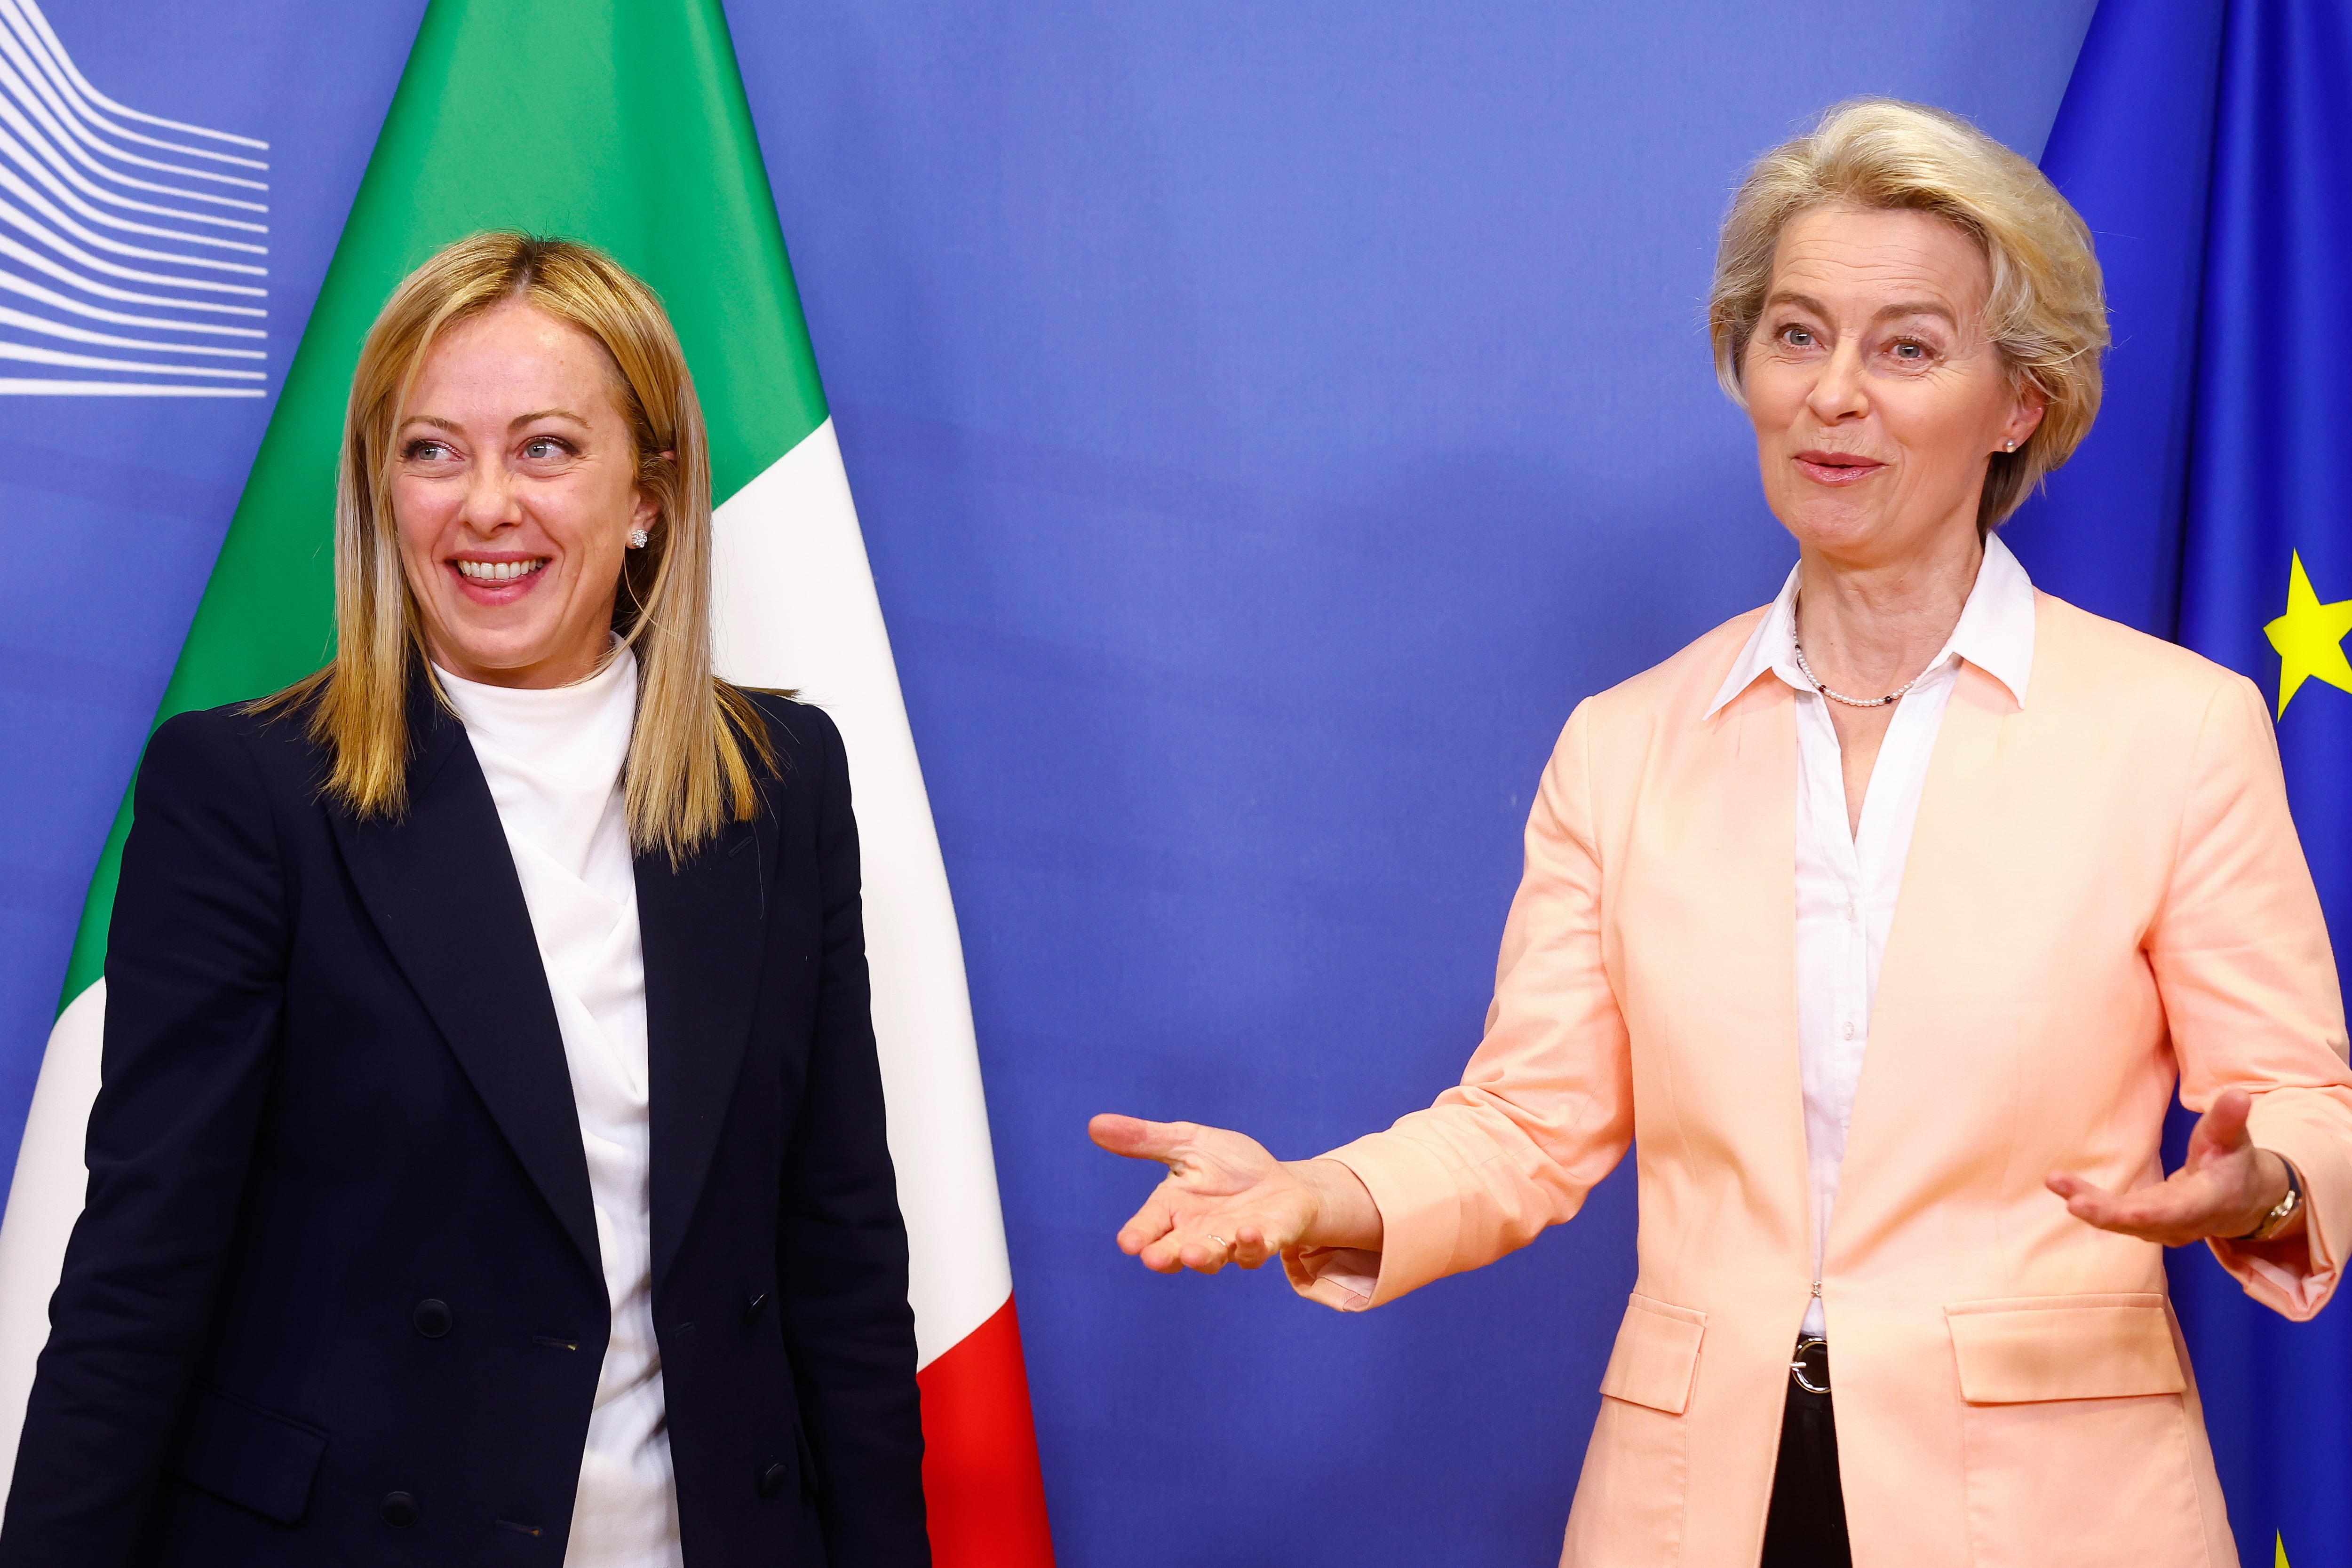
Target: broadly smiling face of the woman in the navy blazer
514,492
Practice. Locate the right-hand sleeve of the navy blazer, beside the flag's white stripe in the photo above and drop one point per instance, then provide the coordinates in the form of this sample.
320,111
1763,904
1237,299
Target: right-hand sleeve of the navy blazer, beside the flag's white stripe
841,1249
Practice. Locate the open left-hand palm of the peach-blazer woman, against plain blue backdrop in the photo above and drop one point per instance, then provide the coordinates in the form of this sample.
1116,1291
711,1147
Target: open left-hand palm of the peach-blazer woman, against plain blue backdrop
1227,1200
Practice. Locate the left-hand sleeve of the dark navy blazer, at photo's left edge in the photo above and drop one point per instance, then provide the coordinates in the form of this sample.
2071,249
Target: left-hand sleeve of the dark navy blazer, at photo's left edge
194,984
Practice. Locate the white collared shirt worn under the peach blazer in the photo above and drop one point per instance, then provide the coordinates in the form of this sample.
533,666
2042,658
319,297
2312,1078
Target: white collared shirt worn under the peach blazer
1847,880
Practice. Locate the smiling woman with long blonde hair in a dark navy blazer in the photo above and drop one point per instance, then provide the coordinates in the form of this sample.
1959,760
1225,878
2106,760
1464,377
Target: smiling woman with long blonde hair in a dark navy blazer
375,1266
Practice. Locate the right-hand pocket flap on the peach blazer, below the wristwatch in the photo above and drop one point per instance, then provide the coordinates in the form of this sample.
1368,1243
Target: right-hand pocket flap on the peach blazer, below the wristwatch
2040,1348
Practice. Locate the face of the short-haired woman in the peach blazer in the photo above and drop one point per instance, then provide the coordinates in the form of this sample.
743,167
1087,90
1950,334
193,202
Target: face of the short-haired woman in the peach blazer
1873,389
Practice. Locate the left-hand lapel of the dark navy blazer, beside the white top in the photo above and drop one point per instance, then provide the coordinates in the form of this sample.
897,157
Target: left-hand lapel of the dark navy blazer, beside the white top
443,894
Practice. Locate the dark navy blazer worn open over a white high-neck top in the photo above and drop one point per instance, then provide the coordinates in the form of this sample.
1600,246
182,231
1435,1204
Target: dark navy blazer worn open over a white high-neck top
338,1294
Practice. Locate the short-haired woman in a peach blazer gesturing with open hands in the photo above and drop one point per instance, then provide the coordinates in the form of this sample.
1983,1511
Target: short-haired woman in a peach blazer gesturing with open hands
1890,991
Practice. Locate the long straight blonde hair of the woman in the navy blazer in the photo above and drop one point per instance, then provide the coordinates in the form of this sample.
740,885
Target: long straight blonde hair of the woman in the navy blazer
688,770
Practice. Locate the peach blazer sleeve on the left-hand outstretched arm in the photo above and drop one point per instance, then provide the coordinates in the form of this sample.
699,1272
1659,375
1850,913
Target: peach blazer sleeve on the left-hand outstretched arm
1546,1104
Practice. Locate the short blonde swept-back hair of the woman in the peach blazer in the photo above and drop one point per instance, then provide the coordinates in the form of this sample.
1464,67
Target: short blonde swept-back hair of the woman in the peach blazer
2047,309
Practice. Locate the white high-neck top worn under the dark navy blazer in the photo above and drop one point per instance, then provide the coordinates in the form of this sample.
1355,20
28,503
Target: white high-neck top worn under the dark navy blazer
554,765
